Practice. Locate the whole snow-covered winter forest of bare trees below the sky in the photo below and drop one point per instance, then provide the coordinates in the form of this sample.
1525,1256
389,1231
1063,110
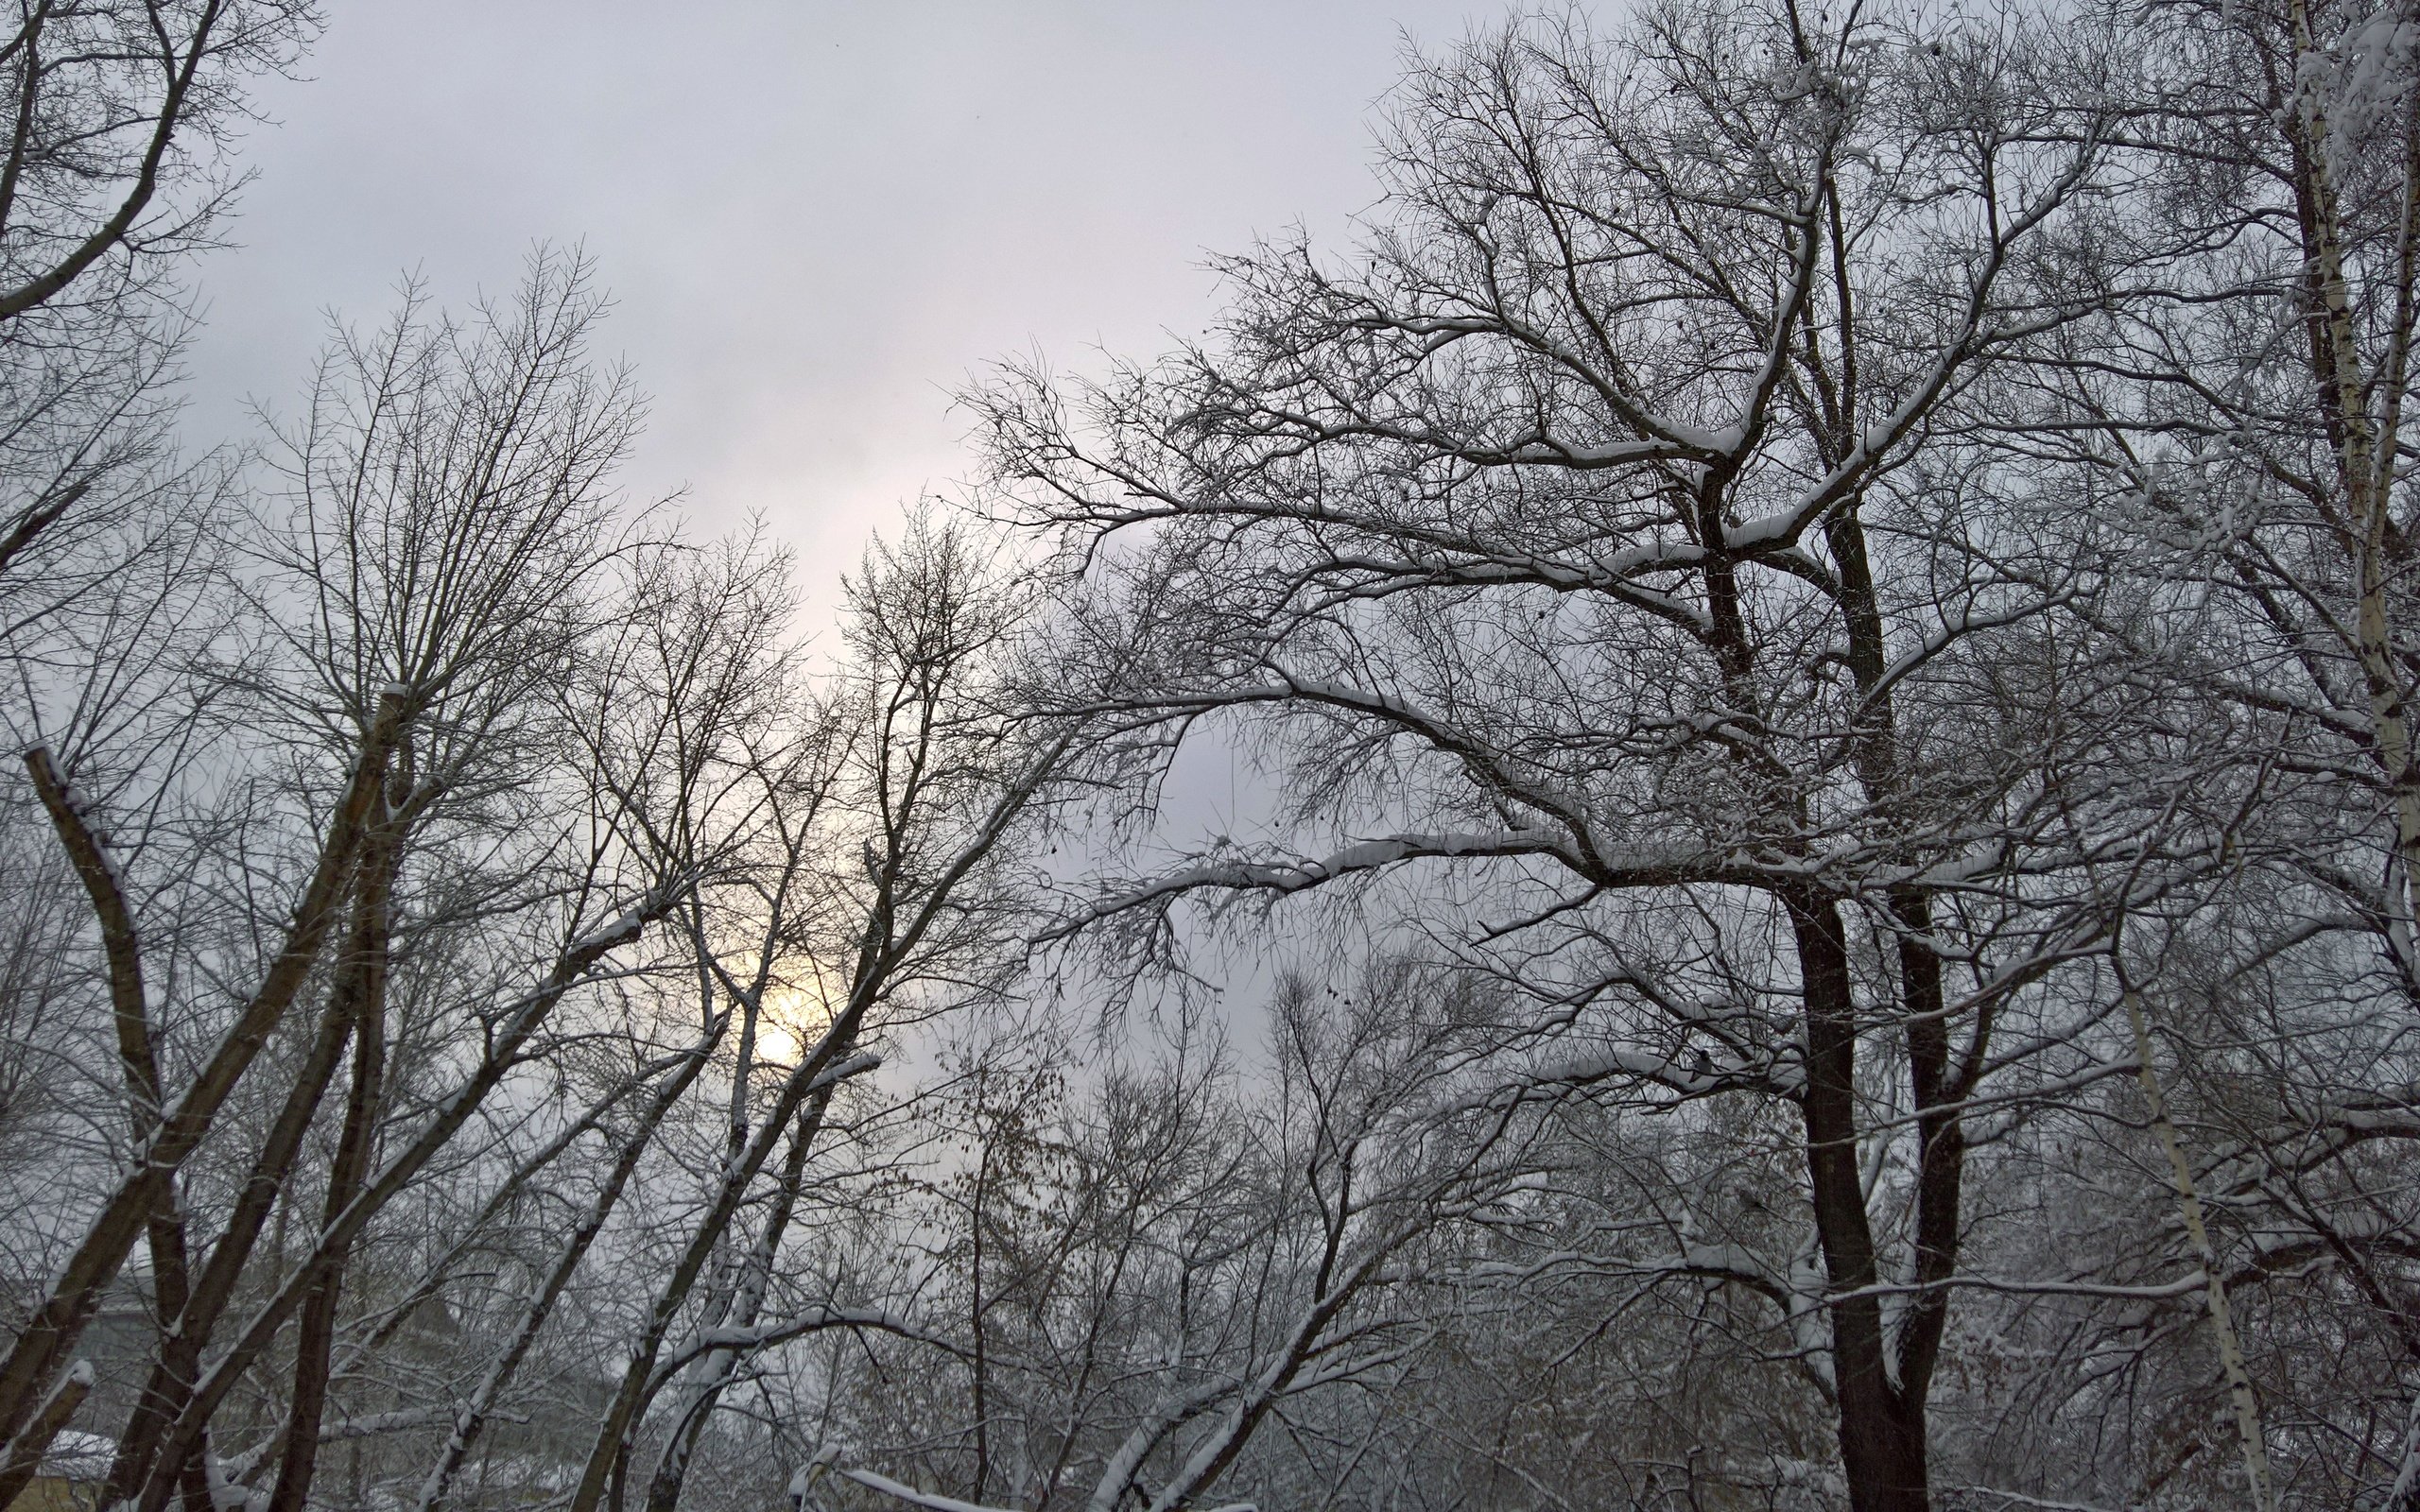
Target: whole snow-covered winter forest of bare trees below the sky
1816,618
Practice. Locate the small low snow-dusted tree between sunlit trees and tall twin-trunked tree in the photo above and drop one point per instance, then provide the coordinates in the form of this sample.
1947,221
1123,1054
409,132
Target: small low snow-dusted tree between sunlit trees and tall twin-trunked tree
1172,1271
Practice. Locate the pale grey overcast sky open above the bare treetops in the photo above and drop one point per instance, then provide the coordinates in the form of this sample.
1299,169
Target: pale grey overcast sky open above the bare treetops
817,219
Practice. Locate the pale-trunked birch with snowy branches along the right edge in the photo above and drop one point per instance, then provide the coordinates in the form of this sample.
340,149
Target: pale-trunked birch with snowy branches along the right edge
2242,405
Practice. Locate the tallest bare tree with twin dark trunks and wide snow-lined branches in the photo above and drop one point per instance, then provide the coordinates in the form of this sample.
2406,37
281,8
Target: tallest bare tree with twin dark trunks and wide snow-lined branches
1618,555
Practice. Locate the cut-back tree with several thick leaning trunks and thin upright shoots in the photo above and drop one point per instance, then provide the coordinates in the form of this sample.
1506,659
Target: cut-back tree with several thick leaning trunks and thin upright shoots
444,562
